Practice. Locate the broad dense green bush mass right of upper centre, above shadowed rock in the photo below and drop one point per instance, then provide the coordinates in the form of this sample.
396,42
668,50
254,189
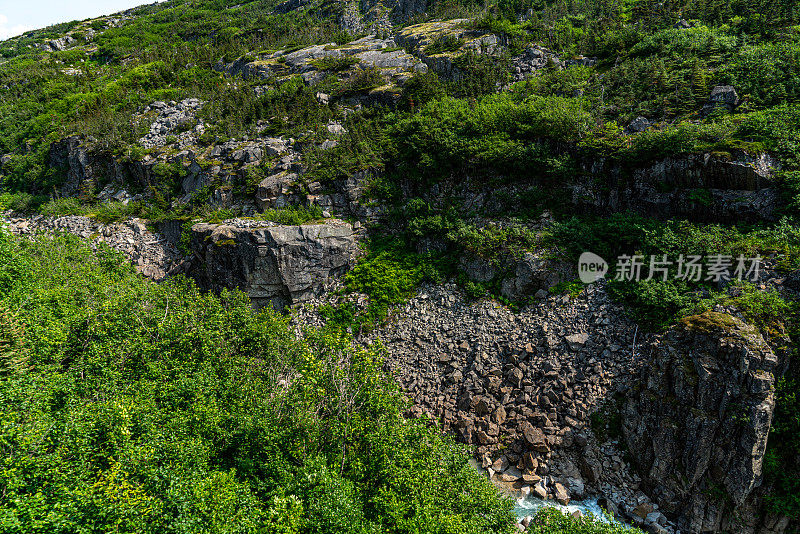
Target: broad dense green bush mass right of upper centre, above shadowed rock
496,133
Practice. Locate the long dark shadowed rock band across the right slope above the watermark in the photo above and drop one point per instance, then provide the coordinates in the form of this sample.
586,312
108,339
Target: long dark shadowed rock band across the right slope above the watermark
707,187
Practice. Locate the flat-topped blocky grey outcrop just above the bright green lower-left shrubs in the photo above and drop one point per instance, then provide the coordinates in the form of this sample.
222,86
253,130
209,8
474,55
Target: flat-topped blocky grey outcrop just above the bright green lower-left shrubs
275,265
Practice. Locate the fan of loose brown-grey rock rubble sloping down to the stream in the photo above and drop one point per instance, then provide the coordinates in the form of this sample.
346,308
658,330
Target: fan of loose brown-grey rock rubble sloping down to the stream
522,388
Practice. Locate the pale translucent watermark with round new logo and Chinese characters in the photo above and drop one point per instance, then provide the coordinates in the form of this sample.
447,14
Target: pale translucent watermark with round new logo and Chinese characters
691,268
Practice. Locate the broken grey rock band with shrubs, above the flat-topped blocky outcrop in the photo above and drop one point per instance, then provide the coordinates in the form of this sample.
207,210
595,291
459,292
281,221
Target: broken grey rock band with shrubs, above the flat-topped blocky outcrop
224,174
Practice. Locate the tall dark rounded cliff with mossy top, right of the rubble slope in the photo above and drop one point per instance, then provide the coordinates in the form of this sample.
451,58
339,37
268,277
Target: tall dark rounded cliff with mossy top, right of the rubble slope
697,426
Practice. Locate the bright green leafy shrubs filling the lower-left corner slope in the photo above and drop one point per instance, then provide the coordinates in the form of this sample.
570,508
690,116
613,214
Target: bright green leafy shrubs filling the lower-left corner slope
134,407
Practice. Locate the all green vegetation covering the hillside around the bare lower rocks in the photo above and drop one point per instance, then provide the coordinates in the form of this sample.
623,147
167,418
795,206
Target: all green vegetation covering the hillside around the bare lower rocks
129,406
